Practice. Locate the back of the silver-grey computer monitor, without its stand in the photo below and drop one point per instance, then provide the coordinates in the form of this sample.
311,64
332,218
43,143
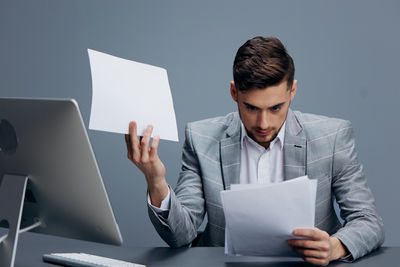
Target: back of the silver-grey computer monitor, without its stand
46,140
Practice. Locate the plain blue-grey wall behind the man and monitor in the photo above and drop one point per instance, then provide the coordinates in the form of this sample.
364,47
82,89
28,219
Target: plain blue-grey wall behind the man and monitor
346,55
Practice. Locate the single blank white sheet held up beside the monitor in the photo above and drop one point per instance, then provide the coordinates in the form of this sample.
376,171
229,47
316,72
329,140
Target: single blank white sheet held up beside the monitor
125,90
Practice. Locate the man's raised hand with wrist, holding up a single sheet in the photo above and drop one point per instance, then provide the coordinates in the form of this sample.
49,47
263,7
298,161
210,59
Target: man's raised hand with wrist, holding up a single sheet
145,157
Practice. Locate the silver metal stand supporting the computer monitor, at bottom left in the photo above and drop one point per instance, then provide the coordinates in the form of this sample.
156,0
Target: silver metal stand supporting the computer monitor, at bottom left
12,194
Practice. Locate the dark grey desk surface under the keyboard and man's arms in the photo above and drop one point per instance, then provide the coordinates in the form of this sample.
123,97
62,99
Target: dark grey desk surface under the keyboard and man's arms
30,253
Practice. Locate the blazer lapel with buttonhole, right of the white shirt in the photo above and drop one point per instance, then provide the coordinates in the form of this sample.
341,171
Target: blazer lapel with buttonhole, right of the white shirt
294,149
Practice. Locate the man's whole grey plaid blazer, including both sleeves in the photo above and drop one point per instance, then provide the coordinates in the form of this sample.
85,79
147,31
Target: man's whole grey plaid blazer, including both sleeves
321,147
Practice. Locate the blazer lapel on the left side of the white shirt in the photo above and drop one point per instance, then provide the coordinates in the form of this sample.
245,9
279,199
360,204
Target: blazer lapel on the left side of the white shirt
230,154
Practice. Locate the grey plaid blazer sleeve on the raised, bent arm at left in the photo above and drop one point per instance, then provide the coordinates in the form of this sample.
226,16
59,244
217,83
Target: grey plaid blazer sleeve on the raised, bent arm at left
178,226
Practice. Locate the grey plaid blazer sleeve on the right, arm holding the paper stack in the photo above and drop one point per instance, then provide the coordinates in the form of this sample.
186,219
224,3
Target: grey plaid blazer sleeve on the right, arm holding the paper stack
363,227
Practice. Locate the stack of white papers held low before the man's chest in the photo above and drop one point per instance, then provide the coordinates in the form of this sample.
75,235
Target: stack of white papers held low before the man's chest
260,218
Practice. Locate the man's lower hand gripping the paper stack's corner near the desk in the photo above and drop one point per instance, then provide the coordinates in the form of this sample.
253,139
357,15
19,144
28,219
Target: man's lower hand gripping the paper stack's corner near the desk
318,247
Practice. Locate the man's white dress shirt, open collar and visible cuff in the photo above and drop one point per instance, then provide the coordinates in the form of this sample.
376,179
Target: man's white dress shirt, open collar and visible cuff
257,164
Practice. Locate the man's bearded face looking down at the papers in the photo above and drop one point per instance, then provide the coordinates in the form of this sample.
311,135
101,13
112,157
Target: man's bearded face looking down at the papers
263,111
